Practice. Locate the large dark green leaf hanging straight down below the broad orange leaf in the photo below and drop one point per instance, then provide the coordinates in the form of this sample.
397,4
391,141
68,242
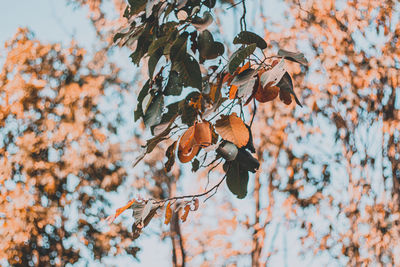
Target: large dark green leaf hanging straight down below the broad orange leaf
237,178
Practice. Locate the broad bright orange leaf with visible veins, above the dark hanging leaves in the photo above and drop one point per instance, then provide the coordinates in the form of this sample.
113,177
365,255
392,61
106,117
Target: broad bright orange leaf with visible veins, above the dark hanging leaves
233,129
